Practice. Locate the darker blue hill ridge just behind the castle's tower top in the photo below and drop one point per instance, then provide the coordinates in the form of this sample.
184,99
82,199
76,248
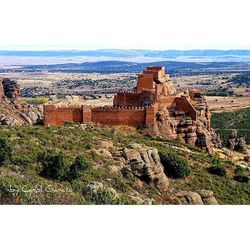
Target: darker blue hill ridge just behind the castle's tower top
107,67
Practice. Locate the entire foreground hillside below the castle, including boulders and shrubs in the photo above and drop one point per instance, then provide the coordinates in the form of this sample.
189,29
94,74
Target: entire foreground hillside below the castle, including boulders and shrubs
99,165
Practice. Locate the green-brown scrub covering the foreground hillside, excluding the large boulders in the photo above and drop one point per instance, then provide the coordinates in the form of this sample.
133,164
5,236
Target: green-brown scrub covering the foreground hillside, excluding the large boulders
25,177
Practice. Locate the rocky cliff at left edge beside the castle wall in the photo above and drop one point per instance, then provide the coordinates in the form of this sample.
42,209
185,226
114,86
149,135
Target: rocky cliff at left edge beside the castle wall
13,109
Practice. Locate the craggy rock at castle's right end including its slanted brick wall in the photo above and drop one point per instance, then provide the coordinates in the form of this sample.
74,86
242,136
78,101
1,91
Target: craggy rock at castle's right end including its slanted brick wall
187,119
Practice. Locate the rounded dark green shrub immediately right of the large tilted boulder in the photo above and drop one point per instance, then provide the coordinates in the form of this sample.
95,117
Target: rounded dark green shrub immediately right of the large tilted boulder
174,165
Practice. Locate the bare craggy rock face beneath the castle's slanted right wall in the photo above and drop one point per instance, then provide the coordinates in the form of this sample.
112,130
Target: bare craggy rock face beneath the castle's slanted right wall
175,124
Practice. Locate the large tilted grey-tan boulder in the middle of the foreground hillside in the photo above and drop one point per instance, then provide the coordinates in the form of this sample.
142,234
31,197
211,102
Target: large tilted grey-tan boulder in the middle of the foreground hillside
145,164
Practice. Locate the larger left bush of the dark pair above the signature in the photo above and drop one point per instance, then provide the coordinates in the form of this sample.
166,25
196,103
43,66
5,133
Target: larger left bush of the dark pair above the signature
55,166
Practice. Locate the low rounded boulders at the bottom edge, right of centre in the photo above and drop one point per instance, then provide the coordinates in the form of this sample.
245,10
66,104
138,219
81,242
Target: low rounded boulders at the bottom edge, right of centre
202,197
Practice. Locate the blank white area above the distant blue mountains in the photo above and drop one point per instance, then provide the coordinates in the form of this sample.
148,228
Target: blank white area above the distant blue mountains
158,24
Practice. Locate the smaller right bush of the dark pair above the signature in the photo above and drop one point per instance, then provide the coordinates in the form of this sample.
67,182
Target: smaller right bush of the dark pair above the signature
79,165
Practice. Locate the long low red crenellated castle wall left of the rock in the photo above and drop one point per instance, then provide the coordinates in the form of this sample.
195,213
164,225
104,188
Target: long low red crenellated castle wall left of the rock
113,116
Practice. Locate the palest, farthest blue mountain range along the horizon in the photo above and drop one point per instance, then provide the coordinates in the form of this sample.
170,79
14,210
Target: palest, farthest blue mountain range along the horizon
54,56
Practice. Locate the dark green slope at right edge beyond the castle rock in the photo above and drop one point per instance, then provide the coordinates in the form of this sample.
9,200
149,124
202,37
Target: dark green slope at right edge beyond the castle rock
225,122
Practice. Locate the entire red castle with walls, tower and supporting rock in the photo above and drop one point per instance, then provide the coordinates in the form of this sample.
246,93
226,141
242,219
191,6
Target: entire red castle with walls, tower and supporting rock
154,103
